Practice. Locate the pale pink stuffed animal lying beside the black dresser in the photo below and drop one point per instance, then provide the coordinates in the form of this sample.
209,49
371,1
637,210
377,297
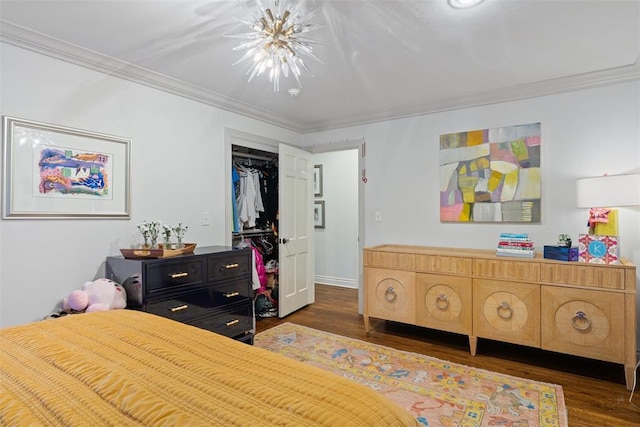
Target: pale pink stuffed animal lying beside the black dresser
99,295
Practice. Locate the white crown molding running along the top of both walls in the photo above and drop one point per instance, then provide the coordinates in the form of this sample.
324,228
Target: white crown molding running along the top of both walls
37,42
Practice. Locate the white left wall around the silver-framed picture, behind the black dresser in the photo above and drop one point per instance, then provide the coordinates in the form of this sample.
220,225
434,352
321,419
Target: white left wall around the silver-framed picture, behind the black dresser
177,173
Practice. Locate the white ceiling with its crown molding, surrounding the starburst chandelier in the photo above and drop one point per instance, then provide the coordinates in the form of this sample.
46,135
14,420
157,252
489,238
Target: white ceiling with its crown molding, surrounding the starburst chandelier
381,59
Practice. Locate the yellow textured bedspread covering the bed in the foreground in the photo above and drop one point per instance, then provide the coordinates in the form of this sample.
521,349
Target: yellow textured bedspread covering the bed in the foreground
125,367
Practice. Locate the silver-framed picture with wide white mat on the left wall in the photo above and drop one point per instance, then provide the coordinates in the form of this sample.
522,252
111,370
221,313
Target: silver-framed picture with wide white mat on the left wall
53,171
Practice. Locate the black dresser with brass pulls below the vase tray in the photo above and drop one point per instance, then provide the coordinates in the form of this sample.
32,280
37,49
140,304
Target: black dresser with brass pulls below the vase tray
210,288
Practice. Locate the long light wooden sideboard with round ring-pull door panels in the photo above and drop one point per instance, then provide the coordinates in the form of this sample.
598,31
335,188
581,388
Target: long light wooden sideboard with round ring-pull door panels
581,309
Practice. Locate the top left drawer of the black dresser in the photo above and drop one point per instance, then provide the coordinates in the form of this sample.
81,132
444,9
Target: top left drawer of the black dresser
170,275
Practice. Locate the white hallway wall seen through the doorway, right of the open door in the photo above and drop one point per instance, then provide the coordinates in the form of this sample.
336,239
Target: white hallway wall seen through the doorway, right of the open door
336,246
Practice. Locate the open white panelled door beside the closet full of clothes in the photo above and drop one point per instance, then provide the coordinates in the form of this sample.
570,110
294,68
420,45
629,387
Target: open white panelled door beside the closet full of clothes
295,230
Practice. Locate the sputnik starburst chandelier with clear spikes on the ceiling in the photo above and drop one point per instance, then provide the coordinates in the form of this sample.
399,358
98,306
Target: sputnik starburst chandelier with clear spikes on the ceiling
274,45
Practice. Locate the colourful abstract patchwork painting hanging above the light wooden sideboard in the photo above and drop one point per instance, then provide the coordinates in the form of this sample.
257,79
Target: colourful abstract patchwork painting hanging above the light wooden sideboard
491,175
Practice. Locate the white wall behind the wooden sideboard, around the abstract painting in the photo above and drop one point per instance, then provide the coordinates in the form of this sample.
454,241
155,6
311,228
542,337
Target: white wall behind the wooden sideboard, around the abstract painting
584,133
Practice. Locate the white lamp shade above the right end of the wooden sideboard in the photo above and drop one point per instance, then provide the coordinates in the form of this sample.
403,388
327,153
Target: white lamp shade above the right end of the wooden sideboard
608,191
